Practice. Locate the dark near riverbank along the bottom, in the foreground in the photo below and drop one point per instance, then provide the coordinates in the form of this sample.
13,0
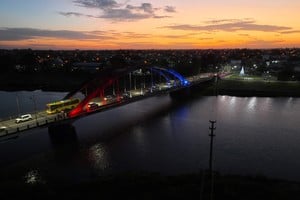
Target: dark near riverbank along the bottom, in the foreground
146,185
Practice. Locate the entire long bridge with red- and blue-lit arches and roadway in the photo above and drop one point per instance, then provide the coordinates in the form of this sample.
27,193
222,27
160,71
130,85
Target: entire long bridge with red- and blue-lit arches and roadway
107,90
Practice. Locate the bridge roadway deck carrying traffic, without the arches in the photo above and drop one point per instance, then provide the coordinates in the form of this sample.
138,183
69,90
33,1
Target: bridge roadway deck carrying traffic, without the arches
10,129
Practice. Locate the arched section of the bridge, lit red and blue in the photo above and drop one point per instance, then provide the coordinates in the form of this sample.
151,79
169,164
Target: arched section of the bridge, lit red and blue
113,87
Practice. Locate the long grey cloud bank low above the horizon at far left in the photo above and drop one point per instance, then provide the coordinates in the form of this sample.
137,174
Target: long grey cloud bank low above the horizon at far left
15,34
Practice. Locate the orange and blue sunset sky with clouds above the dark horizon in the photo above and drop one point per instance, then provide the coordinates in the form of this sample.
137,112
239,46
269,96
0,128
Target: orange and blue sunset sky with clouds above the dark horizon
149,24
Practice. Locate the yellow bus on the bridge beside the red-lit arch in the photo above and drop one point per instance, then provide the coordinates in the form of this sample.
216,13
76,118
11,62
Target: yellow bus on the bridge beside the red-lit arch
63,105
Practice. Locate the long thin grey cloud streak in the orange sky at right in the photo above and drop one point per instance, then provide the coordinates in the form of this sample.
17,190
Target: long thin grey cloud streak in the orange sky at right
231,25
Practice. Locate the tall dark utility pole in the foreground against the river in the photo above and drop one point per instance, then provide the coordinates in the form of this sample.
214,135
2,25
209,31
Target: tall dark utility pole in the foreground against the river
212,135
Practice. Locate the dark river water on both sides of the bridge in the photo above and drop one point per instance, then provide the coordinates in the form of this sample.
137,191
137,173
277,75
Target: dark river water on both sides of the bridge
254,136
